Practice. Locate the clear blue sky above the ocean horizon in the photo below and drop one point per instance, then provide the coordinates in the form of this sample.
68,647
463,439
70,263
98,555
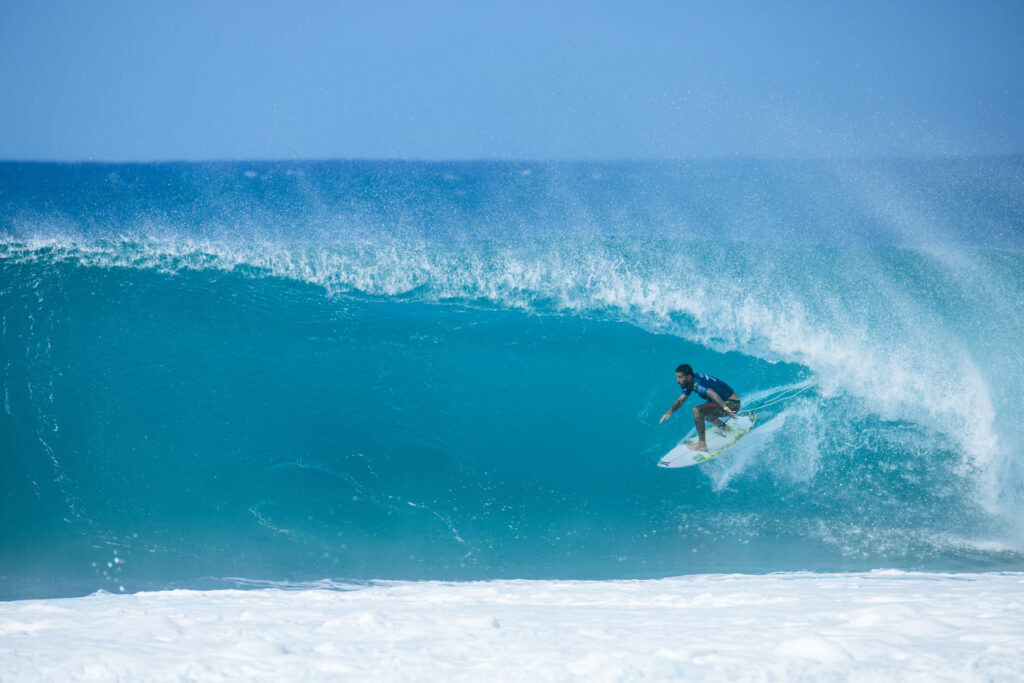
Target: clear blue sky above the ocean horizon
140,81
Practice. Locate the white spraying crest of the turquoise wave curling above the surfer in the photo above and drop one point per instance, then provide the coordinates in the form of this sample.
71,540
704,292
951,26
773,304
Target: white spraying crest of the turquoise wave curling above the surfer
885,325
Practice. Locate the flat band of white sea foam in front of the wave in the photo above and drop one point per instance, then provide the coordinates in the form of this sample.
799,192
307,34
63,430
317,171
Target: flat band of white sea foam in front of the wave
863,627
